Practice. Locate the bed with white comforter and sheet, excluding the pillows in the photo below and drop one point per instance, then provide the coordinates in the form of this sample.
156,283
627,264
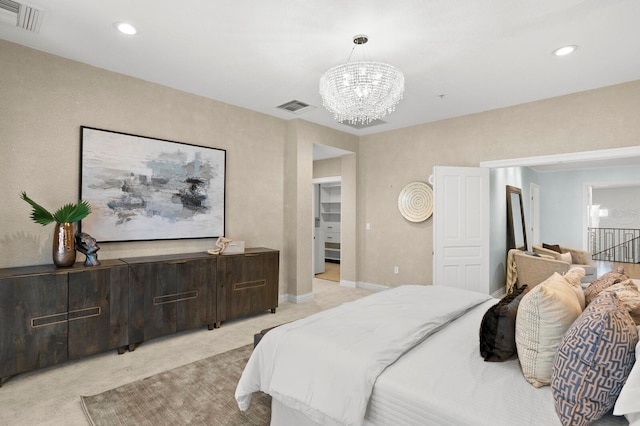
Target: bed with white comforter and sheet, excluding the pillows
438,378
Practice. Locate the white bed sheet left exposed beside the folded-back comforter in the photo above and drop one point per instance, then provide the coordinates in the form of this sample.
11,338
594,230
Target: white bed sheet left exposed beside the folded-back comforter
444,381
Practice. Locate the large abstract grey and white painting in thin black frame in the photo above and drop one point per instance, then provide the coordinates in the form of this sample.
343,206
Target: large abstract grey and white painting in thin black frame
142,188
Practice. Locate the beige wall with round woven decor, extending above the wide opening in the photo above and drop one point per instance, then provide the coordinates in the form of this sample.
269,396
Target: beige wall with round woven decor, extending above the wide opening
592,120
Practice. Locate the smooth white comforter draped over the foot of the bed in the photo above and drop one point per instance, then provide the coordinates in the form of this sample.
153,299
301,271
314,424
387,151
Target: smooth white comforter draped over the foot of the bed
326,365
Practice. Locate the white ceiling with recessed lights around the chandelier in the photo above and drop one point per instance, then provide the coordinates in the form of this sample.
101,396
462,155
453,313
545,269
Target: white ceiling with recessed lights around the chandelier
458,57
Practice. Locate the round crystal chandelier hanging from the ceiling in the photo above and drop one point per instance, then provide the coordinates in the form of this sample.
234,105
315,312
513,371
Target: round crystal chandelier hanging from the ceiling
361,91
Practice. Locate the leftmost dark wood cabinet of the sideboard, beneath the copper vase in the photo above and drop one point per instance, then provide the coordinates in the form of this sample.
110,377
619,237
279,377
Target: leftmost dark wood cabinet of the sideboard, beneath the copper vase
50,315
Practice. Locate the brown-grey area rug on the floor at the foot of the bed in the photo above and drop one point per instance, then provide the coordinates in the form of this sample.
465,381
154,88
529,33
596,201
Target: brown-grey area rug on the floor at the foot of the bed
200,393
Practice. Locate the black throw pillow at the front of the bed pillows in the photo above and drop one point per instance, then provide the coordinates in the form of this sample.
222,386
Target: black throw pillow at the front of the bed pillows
498,328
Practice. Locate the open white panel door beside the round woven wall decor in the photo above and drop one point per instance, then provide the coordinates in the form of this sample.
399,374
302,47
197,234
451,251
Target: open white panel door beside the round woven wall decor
461,228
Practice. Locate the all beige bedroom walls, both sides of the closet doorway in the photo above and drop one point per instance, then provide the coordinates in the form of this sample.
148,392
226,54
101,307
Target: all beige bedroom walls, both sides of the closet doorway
44,100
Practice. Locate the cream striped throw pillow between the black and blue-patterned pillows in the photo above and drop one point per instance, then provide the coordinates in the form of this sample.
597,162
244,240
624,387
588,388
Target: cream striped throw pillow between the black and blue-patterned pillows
544,314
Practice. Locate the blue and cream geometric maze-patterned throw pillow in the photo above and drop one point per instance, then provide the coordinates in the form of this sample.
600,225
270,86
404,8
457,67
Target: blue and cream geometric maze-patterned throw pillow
593,361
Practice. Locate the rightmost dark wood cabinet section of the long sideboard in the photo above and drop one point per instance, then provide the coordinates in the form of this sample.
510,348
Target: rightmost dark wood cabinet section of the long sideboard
247,282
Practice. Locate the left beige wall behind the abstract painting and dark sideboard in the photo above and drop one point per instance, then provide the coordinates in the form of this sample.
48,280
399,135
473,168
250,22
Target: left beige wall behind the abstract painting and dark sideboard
44,99
